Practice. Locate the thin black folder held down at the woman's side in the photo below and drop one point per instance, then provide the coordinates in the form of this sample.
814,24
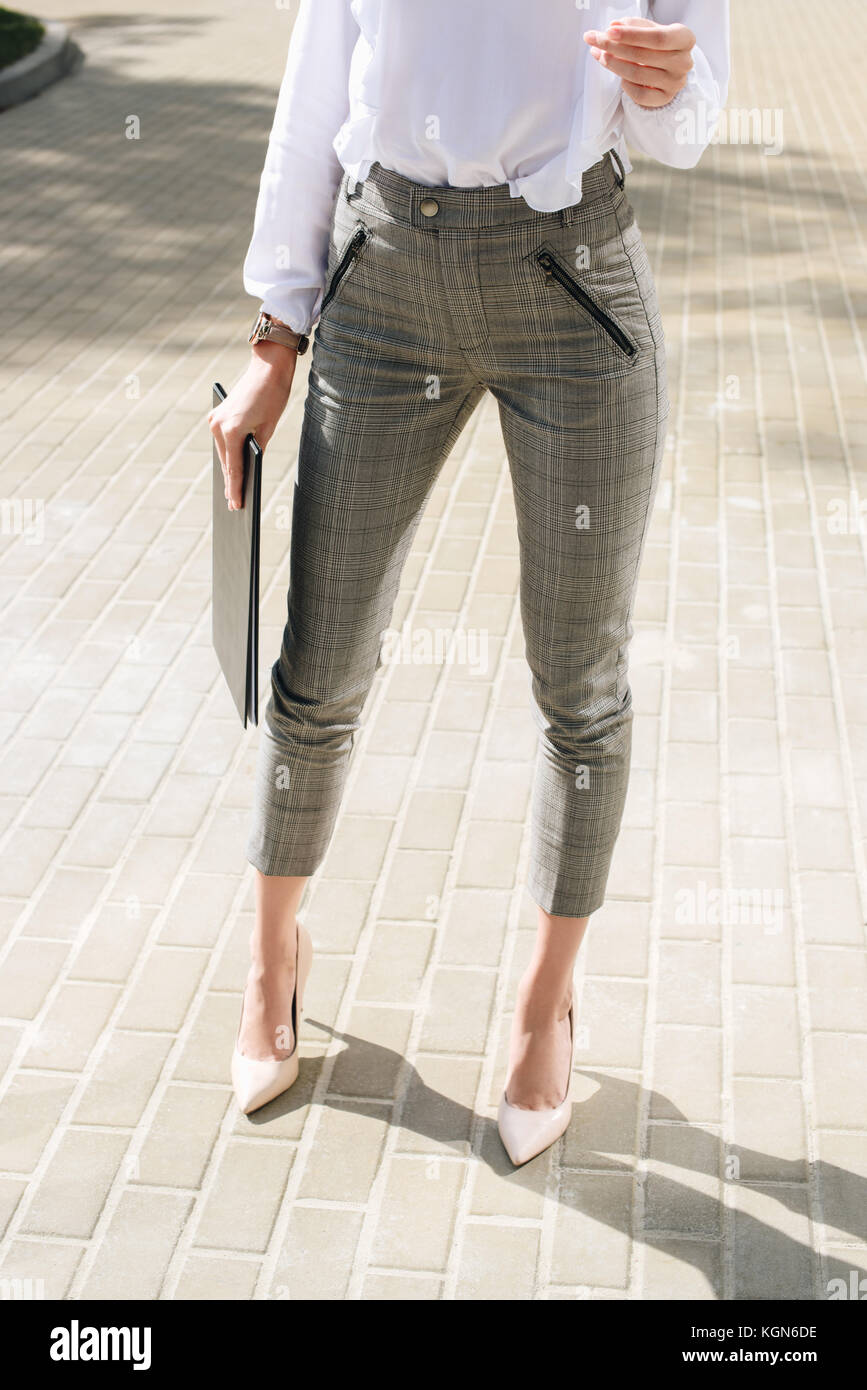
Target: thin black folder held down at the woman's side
236,548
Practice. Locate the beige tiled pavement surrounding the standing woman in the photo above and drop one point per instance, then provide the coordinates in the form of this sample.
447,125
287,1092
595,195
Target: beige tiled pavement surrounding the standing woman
719,1149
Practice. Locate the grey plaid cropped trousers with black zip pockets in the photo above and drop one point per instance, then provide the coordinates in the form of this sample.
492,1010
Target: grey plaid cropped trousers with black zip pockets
556,315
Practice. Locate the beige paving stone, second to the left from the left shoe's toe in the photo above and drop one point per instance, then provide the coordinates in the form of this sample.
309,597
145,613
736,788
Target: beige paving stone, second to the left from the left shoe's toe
123,1081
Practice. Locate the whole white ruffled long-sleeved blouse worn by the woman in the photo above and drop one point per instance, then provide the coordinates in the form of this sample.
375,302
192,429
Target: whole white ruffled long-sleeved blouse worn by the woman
462,92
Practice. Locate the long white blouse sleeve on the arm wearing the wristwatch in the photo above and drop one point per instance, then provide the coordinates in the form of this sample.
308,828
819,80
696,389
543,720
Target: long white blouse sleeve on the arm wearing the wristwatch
287,259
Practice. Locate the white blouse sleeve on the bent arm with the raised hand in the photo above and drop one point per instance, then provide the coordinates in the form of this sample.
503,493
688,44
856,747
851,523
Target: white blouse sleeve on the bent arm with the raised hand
680,133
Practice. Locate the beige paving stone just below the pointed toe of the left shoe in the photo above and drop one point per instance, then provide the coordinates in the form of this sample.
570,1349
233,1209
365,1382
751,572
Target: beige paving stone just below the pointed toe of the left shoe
245,1199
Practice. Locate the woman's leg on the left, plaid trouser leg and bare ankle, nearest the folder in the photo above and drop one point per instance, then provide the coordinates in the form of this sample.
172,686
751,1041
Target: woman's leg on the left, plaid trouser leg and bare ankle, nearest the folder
373,441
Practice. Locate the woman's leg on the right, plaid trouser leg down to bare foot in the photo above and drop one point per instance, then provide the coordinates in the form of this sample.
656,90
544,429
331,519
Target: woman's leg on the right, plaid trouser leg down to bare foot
584,423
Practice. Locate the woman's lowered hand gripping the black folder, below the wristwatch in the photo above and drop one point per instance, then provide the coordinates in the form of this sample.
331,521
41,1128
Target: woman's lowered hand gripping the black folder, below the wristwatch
254,407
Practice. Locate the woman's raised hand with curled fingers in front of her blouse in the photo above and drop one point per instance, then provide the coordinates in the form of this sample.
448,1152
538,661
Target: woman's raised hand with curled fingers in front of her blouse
652,60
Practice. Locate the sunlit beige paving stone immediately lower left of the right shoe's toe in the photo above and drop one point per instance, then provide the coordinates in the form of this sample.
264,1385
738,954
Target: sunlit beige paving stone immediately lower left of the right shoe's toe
418,1213
